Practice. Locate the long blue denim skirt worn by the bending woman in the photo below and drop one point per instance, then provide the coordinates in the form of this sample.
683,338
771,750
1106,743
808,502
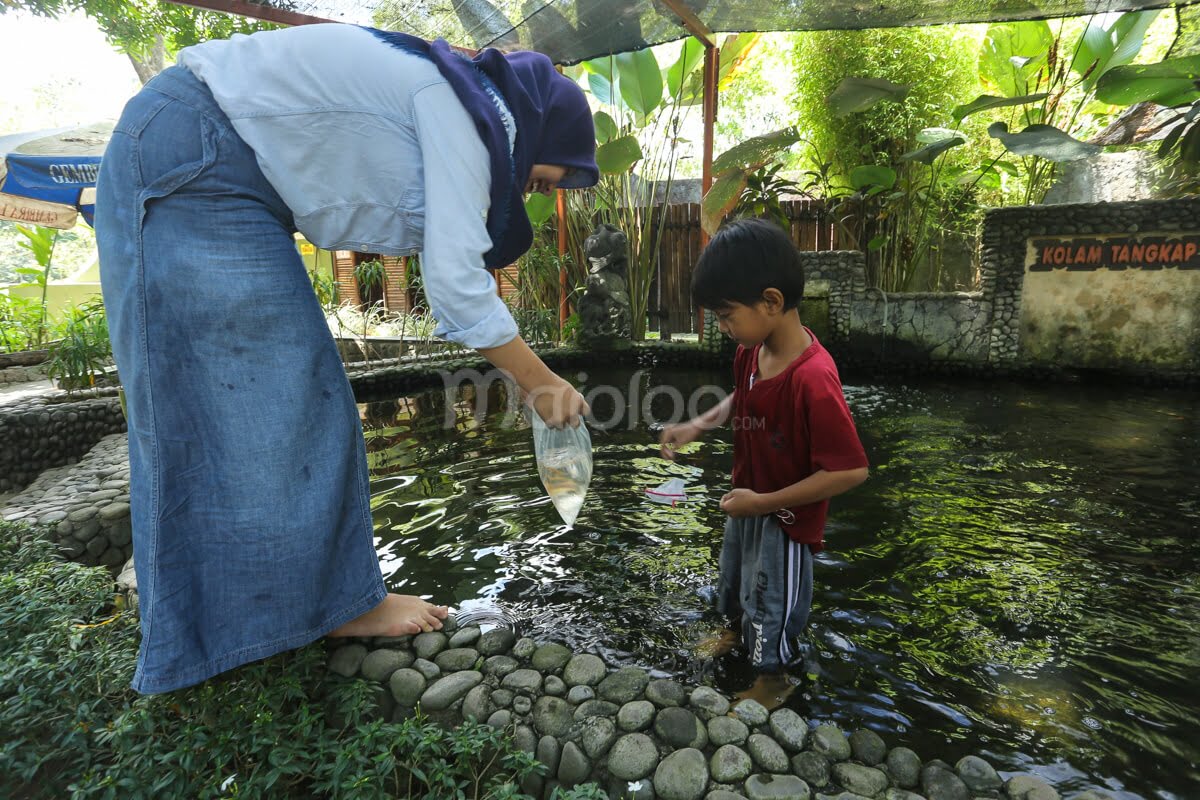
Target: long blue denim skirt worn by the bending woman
249,483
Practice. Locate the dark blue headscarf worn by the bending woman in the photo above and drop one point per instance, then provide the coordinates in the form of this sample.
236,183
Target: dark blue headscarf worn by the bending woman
553,119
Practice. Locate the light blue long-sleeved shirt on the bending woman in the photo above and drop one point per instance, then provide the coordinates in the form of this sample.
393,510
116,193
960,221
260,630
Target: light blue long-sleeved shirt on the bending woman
373,152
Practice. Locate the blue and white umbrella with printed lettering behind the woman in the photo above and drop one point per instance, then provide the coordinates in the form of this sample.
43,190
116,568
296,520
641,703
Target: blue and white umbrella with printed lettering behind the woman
49,178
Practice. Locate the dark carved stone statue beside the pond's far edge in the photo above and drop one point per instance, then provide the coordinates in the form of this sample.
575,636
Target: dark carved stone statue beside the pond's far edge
604,310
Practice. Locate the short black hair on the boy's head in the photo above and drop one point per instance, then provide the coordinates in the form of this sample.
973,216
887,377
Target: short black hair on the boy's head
745,260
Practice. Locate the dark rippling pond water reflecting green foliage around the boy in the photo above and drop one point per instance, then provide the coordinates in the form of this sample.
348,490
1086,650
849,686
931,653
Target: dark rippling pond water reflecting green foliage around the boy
1017,580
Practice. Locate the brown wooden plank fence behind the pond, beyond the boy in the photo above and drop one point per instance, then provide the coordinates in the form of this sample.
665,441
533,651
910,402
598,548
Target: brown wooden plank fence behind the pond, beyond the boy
671,290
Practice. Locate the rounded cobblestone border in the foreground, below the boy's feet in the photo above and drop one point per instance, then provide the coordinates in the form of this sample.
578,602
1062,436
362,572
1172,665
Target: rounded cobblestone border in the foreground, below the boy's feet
641,738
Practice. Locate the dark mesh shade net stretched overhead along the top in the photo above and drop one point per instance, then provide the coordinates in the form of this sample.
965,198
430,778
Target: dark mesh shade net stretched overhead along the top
574,31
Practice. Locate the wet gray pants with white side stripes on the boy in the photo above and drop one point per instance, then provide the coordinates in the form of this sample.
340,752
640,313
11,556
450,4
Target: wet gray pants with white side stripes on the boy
766,582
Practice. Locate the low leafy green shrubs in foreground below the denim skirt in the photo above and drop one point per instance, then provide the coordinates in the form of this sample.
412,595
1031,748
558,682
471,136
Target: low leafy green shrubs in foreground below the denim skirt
283,727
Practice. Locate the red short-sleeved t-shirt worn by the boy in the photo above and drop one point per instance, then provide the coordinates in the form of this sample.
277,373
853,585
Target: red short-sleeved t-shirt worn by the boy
789,428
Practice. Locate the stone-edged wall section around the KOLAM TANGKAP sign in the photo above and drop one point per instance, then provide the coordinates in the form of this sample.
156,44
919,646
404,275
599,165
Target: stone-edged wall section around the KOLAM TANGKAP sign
1097,318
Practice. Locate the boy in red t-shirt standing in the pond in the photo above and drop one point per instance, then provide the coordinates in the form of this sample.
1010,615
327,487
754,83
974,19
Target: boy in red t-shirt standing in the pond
795,444
